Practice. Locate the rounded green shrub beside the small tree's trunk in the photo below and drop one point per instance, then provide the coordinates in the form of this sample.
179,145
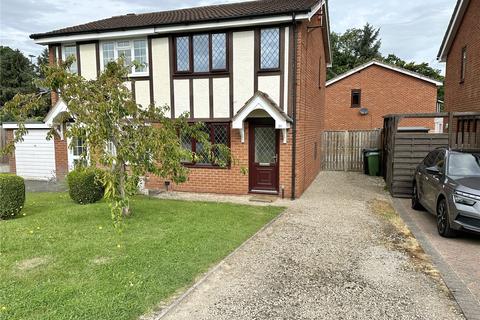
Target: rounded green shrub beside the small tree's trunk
84,185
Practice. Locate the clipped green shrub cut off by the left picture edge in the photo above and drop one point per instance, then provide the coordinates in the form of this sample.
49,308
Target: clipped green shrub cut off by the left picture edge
12,195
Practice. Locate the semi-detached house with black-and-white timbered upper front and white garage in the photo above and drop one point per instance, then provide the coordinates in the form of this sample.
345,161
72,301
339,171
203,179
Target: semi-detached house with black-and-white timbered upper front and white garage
254,72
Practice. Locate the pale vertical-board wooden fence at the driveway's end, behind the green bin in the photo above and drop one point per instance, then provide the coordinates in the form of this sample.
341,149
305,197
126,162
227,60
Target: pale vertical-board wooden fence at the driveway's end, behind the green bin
342,150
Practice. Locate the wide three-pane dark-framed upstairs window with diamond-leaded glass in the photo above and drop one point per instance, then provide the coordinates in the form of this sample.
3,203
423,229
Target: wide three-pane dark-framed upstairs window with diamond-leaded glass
201,53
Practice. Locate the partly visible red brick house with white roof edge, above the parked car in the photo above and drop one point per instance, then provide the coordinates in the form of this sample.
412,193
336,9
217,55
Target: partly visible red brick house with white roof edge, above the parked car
460,49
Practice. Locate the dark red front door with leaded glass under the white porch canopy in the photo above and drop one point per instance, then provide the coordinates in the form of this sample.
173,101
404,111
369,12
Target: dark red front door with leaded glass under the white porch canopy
263,157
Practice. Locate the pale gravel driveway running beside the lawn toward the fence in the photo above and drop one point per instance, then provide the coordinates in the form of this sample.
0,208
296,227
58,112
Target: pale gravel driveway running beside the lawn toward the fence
325,258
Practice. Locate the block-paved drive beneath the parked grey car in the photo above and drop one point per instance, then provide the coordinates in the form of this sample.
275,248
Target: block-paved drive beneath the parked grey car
458,259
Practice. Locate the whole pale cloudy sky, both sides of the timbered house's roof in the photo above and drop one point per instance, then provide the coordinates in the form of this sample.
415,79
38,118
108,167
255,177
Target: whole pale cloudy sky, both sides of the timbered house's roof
411,29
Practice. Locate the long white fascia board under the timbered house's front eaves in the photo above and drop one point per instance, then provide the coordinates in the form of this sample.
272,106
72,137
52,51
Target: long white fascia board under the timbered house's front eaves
172,29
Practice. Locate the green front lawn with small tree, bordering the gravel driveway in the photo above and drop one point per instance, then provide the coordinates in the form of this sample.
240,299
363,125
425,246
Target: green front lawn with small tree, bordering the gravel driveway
60,260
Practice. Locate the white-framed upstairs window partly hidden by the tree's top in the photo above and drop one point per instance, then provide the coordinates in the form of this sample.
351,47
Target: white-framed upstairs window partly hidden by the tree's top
130,50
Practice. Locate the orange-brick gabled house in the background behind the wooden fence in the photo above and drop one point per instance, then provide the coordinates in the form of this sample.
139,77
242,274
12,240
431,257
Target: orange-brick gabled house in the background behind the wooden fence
359,98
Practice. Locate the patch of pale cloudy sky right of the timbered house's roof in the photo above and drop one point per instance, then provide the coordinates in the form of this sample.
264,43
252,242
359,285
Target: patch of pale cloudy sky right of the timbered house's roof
413,30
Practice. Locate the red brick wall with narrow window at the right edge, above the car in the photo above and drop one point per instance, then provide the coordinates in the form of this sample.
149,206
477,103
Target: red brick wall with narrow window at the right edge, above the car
465,96
